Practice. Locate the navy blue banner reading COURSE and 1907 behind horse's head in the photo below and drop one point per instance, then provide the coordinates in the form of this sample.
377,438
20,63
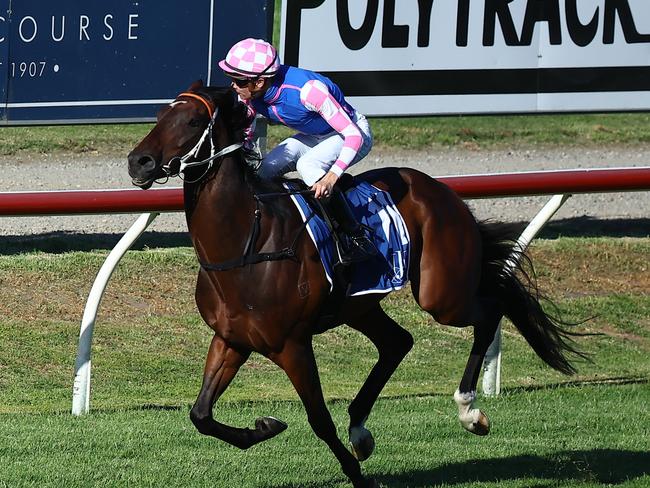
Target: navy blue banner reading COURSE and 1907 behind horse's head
96,61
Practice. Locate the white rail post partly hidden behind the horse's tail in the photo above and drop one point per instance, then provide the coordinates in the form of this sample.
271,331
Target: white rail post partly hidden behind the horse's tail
492,361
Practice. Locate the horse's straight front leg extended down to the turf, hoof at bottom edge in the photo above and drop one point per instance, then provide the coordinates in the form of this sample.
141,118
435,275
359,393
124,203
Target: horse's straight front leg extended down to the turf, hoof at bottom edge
299,363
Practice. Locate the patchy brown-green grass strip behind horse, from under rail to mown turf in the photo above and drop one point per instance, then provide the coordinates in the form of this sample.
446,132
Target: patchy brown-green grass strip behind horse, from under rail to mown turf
150,343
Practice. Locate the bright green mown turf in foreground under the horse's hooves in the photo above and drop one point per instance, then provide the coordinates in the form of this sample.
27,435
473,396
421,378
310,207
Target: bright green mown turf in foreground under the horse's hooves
586,436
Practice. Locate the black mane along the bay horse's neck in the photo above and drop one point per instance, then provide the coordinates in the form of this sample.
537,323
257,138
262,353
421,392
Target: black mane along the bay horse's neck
235,114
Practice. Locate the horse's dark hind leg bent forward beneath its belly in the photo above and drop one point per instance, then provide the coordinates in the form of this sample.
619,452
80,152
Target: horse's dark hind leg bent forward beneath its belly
393,343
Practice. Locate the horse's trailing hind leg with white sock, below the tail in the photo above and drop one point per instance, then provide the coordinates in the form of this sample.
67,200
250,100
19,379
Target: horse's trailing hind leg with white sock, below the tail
487,318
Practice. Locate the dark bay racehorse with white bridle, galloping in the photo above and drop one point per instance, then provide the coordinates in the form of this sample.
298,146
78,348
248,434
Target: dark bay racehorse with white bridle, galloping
261,286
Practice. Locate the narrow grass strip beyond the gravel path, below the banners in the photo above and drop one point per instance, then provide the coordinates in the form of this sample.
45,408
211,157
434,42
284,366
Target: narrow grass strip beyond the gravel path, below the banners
488,132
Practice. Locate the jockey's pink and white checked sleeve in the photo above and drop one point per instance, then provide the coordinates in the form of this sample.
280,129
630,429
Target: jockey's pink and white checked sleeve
316,97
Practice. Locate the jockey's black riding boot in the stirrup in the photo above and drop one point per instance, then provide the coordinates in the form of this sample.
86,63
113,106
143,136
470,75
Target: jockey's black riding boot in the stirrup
354,245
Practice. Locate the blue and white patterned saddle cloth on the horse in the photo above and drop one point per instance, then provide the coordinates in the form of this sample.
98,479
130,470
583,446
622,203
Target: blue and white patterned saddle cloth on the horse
375,209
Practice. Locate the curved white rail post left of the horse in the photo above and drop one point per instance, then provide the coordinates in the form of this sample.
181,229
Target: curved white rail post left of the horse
81,386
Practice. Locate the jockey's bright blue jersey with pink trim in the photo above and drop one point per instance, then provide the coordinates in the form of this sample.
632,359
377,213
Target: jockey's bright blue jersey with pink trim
295,99
